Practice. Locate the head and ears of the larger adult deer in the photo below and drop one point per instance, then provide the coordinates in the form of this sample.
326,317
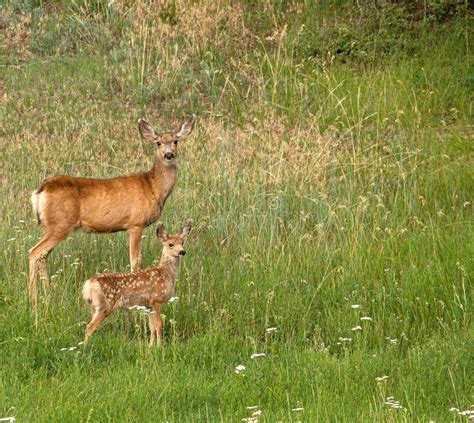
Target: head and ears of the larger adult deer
166,144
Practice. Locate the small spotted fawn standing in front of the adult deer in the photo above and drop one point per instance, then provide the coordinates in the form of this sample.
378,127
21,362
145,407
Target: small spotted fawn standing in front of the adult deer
150,288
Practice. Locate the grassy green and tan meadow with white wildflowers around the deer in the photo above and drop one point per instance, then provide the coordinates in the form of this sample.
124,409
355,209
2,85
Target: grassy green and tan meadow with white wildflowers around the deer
330,179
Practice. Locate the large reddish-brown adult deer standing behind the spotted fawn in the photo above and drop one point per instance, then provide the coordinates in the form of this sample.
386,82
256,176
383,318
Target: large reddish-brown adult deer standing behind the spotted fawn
63,204
